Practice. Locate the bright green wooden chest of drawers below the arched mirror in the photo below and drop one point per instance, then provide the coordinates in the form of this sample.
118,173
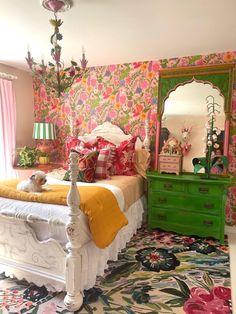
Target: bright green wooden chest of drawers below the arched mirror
187,204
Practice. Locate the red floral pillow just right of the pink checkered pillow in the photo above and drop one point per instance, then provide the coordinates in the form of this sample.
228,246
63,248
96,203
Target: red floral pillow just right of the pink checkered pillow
124,161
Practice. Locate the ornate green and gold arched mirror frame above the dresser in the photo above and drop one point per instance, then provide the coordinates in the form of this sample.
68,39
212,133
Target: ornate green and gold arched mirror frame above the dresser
219,76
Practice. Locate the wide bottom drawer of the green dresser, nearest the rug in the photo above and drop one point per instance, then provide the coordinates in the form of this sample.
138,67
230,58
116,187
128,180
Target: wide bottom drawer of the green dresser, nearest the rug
194,223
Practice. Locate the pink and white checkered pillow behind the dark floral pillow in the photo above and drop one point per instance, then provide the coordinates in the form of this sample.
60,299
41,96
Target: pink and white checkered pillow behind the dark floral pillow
101,171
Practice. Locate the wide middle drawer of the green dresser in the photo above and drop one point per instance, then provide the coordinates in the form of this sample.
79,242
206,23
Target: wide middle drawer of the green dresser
193,203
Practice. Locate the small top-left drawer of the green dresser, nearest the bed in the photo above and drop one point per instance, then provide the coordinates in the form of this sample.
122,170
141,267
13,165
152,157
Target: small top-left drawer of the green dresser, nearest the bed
166,185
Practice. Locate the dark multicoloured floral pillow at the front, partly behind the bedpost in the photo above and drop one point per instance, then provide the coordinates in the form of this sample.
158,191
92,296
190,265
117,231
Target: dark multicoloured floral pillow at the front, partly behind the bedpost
87,165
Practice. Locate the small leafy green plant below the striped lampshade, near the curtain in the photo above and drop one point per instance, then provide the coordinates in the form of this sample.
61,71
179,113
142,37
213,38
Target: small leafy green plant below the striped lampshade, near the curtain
27,156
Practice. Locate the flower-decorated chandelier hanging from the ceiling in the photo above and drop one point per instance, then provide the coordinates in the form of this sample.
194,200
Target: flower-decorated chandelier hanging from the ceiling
54,76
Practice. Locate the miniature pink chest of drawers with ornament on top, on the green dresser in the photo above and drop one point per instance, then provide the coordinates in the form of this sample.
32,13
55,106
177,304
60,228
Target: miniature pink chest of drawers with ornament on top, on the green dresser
170,158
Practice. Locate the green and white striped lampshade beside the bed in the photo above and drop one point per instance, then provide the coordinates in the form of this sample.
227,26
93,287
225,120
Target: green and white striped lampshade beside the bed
44,131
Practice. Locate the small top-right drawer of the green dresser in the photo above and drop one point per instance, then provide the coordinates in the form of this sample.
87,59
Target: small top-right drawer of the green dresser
205,189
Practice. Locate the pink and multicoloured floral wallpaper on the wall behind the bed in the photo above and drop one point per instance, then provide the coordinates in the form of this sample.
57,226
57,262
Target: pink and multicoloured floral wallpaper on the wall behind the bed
125,94
